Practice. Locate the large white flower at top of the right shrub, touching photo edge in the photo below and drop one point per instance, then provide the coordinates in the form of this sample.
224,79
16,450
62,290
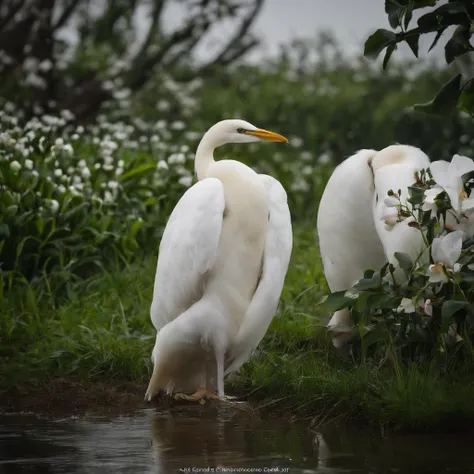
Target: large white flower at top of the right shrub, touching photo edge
449,177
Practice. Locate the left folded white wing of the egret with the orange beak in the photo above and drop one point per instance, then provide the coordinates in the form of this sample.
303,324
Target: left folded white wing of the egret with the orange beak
188,250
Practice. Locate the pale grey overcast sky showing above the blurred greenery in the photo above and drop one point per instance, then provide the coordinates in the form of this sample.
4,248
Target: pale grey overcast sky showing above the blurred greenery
280,21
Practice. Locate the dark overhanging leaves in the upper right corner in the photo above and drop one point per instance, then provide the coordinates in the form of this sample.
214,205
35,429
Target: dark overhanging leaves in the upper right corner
456,92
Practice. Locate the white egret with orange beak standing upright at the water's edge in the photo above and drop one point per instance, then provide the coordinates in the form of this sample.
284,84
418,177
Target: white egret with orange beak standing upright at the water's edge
222,262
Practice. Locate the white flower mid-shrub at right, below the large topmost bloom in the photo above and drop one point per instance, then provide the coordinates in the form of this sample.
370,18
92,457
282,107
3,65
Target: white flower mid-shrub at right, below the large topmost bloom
445,251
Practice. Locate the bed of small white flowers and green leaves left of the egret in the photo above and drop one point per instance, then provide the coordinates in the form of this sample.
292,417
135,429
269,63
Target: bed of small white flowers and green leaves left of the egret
73,198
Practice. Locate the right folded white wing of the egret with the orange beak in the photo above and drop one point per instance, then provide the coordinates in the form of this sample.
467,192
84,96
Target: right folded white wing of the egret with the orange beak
278,246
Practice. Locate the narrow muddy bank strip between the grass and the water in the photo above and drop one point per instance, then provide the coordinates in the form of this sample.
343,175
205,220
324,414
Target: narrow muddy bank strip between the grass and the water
79,397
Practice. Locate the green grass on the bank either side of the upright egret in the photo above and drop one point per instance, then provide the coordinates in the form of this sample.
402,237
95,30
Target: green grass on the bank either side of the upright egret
102,332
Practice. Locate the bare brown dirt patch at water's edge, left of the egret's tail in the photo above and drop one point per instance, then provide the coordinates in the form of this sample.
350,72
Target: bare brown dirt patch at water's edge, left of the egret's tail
74,397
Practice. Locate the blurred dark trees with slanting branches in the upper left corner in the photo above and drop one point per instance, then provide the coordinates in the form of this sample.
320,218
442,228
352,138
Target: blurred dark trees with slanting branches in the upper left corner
60,54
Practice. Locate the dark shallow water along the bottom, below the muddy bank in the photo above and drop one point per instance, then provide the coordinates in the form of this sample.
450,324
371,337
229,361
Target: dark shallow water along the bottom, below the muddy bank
206,439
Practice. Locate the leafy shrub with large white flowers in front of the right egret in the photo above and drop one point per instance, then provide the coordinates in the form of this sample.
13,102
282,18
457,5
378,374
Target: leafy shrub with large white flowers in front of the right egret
431,309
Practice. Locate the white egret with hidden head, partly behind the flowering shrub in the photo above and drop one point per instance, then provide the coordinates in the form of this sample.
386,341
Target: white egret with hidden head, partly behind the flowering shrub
352,233
